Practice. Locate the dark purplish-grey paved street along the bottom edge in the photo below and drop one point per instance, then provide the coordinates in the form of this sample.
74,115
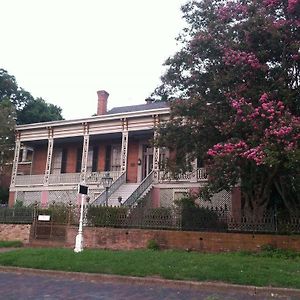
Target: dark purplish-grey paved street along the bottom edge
20,285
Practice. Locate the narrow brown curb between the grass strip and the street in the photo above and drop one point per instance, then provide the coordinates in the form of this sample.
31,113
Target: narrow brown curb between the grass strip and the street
178,284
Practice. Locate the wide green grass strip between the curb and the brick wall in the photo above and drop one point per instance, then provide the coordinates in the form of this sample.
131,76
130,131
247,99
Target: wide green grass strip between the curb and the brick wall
280,269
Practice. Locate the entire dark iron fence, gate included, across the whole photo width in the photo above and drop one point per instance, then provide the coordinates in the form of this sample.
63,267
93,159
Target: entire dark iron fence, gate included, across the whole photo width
191,218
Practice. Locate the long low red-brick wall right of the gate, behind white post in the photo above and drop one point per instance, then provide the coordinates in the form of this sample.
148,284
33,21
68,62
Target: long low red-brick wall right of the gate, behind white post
111,238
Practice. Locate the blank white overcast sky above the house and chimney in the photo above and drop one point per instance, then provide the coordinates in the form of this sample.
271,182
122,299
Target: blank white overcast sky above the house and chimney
66,50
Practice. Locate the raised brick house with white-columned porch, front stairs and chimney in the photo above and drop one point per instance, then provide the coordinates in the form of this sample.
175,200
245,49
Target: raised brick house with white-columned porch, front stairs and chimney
52,158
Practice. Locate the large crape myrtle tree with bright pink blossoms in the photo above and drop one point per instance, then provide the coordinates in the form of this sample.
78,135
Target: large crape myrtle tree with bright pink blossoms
234,89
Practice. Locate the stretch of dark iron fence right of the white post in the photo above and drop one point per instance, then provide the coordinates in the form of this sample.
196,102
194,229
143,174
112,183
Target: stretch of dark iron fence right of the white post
191,218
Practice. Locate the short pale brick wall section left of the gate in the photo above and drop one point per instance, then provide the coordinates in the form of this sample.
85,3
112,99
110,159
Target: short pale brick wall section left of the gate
15,232
